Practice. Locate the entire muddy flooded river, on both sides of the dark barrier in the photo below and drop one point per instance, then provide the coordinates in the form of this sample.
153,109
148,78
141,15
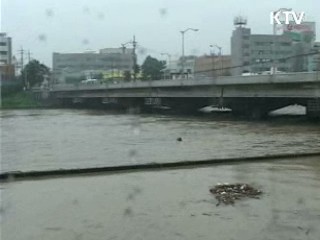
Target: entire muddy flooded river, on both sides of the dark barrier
168,204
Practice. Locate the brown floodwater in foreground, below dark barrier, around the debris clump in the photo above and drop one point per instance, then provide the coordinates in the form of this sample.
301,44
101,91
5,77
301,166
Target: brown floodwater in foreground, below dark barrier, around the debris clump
174,204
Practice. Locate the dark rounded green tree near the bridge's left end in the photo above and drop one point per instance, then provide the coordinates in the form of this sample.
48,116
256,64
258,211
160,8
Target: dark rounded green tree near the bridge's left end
33,73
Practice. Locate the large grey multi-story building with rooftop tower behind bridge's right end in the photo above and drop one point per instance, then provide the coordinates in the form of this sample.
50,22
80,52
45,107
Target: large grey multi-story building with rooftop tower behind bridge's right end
257,53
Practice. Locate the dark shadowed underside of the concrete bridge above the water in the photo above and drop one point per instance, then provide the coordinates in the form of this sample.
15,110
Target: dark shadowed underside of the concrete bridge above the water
253,107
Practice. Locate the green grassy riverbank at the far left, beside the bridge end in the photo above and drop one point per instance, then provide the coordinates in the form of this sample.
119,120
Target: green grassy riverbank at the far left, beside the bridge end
20,100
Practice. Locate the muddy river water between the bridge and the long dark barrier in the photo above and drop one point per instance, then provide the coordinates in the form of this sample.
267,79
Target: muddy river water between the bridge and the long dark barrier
55,139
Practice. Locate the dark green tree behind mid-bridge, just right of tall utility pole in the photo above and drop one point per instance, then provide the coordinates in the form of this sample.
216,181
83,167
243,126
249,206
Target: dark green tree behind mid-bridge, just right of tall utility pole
151,68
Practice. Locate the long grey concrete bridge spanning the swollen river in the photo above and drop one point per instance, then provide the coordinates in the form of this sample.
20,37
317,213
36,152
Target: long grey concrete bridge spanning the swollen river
253,95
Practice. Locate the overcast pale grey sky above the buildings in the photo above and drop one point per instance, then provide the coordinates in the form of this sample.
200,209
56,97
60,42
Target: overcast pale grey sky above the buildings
46,26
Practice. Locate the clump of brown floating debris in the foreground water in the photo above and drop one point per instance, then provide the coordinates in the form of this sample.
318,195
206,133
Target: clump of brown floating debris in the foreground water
228,193
